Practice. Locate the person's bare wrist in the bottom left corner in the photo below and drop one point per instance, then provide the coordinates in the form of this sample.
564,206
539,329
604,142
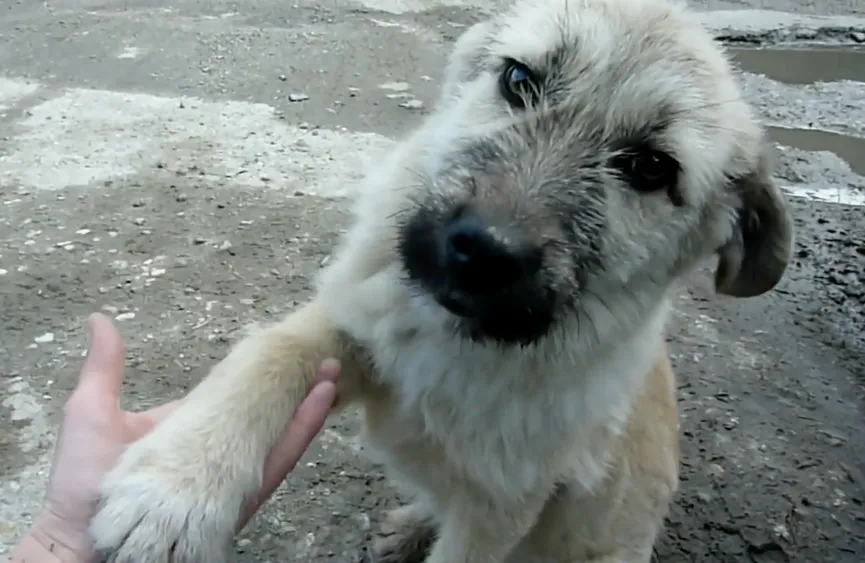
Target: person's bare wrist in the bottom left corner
50,540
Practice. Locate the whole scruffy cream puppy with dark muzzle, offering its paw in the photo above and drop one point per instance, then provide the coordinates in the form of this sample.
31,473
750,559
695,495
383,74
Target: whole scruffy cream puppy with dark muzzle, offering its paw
499,303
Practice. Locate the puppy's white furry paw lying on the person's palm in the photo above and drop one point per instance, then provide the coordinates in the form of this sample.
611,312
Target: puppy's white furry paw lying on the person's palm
147,514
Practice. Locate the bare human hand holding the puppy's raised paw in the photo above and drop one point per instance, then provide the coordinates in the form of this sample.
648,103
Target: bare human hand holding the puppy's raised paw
95,431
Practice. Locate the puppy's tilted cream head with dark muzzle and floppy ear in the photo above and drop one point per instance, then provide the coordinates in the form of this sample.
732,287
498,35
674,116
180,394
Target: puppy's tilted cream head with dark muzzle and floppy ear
586,150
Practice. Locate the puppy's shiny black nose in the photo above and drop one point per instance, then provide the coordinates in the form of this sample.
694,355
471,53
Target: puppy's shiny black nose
481,261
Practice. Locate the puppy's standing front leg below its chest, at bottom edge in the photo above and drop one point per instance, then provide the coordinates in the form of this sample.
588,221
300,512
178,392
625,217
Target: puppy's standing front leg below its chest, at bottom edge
480,530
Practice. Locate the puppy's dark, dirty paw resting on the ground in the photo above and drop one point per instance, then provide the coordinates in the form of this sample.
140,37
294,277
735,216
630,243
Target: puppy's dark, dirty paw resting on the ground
407,535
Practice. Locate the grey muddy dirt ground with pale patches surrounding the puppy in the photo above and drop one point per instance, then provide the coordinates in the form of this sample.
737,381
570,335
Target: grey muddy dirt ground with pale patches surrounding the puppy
191,242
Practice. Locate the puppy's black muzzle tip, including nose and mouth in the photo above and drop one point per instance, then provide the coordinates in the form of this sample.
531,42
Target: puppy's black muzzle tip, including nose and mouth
482,267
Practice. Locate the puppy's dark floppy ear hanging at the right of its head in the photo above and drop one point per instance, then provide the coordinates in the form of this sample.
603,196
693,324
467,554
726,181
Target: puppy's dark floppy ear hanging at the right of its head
755,258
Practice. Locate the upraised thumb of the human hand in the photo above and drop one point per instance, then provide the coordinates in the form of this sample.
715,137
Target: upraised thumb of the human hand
102,372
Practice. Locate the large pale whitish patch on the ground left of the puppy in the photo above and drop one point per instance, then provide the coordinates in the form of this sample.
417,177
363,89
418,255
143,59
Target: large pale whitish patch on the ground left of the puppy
94,136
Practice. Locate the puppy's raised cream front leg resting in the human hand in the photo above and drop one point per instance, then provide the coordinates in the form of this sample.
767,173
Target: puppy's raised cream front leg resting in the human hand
176,495
